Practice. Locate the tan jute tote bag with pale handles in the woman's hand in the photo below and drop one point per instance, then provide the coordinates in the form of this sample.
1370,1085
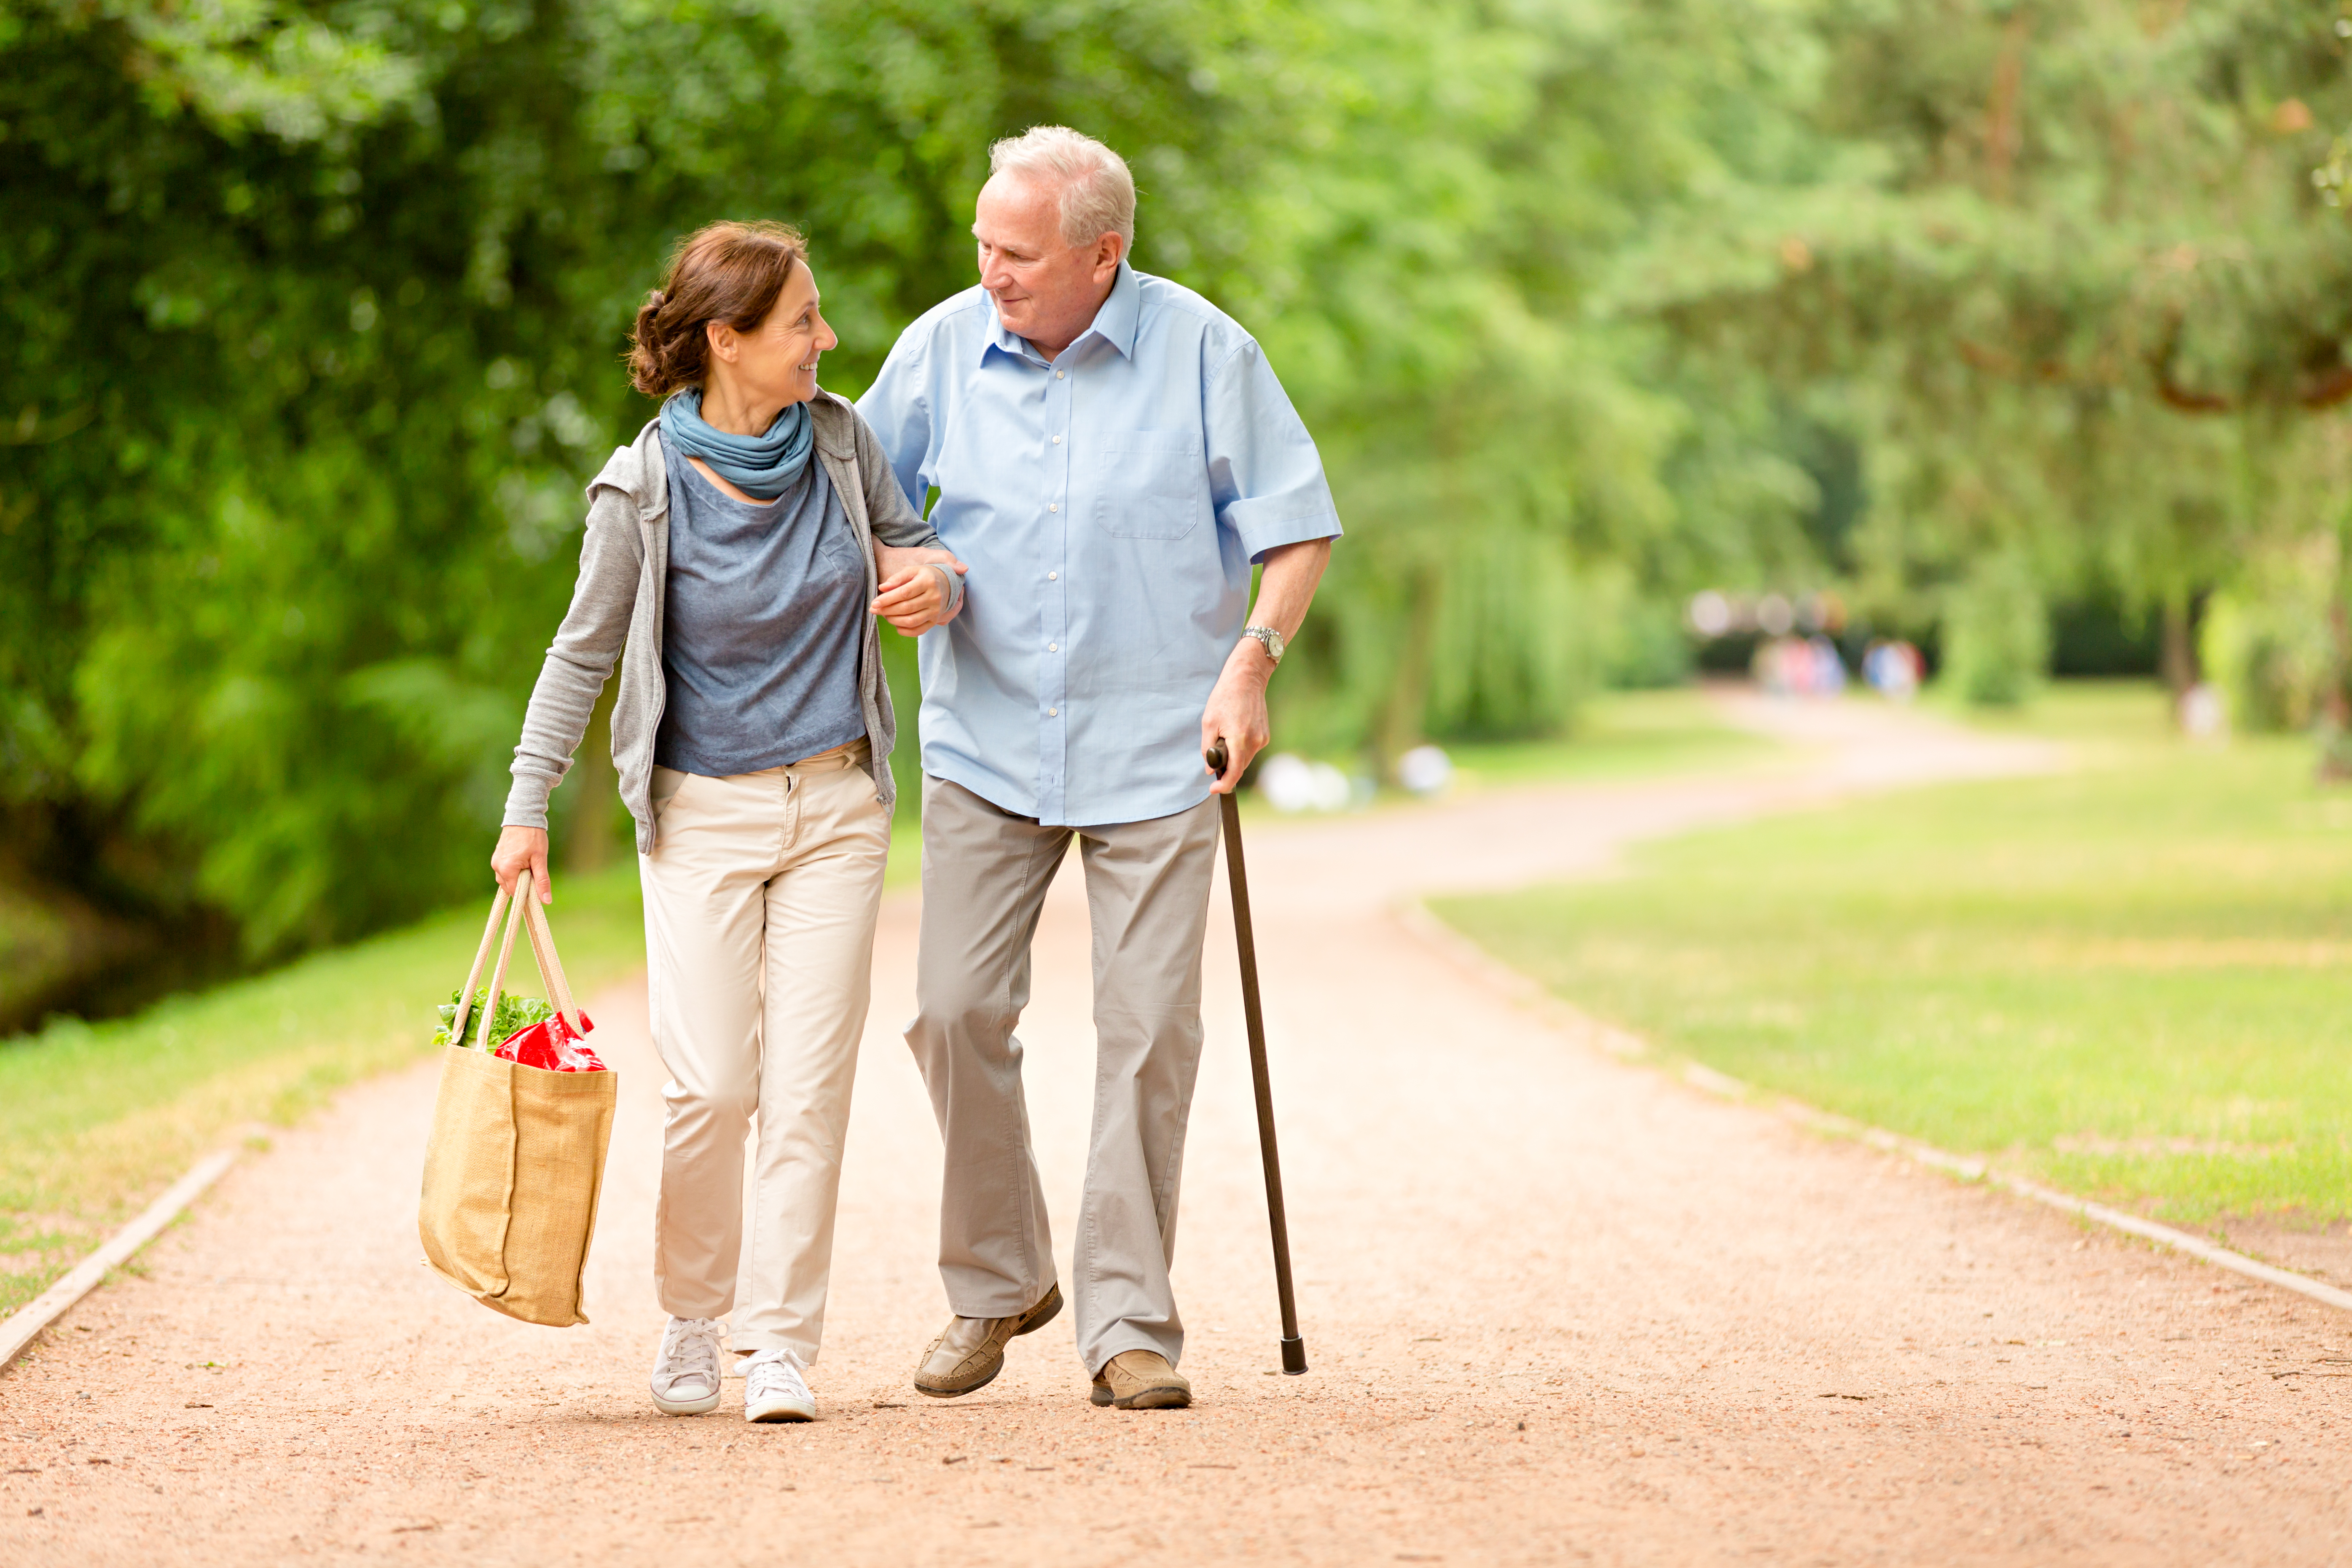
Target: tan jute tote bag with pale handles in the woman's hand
519,1153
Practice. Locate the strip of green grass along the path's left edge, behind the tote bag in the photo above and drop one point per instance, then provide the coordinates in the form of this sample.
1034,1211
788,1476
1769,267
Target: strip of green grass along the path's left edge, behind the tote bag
95,1120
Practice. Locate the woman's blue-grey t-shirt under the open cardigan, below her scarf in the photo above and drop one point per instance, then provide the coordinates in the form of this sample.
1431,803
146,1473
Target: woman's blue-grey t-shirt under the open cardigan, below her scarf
761,626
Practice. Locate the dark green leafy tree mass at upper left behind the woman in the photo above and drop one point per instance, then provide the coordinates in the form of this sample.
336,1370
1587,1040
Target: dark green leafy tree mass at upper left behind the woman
314,323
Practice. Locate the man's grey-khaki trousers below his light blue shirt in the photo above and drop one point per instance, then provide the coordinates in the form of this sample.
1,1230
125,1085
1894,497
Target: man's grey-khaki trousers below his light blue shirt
984,878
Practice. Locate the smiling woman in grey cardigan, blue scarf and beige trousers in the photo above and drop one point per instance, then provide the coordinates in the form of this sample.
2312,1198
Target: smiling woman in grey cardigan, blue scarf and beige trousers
737,554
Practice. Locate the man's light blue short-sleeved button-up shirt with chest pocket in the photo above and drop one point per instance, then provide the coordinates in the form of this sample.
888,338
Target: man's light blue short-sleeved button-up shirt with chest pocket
1109,507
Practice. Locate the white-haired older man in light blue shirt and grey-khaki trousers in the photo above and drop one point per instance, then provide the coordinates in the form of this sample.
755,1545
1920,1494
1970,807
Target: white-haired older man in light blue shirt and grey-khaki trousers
1111,457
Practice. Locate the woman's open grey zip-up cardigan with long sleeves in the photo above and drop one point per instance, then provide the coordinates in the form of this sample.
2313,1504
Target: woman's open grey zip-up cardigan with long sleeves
617,615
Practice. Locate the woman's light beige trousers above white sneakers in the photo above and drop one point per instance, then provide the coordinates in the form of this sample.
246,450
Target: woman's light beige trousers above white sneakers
759,930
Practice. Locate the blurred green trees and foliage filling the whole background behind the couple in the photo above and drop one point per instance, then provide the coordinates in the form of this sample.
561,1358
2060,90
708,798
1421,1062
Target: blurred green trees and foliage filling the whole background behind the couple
2017,323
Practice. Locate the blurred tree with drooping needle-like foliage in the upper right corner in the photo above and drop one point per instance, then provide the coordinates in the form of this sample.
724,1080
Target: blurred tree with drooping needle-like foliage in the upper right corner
2071,283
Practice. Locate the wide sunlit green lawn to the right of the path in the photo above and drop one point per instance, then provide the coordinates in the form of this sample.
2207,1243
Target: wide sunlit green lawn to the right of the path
2132,981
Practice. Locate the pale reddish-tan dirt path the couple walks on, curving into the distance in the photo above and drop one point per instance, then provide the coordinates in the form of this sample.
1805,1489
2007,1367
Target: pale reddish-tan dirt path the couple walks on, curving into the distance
1561,1311
